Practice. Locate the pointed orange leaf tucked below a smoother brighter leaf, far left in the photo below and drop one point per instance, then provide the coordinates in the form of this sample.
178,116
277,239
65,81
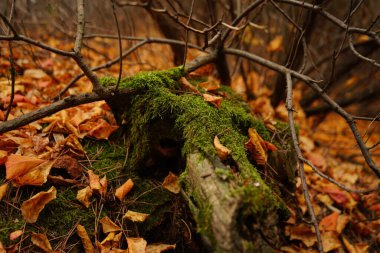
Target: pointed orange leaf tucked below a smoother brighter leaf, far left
36,176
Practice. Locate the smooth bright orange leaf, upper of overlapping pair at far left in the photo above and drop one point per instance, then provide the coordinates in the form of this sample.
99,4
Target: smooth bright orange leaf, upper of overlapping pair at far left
17,165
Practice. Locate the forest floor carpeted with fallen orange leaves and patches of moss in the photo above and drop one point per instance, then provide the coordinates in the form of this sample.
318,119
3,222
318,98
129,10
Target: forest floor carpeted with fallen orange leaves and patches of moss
349,222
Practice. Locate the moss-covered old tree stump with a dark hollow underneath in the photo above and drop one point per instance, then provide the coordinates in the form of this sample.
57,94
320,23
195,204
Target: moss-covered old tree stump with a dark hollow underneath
237,204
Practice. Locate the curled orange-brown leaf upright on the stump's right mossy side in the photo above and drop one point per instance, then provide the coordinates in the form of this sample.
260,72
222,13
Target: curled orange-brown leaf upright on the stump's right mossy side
254,146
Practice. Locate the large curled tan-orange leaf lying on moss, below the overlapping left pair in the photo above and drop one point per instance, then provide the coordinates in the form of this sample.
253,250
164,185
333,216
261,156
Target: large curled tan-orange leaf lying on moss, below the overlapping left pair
32,207
